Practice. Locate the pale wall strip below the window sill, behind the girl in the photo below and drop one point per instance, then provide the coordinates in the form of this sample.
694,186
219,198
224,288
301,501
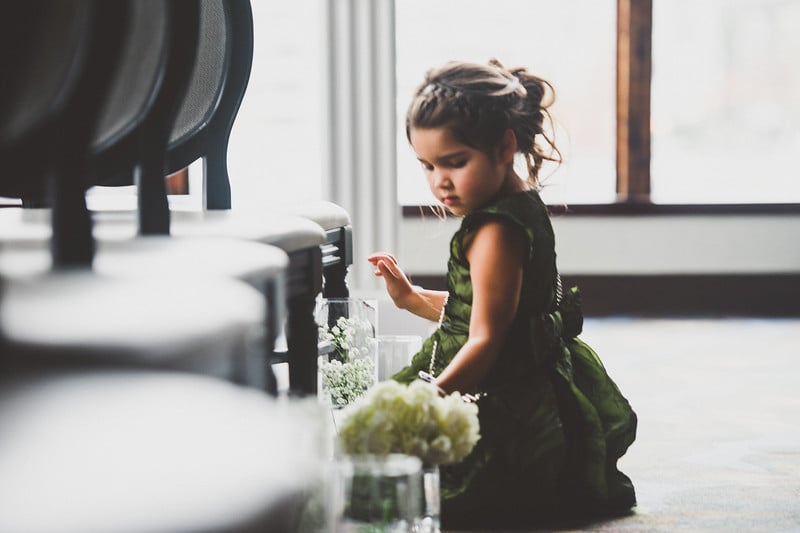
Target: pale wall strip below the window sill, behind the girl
641,245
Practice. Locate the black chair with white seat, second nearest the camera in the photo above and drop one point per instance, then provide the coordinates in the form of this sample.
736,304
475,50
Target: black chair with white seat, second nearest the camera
71,316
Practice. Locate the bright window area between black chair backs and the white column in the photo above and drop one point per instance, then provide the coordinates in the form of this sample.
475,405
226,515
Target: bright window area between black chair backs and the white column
274,152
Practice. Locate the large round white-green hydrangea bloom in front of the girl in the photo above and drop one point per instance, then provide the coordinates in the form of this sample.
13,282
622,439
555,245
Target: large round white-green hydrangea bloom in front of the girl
410,419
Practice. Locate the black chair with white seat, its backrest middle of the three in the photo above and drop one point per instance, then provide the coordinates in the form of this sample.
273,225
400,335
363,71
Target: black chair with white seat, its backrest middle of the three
129,142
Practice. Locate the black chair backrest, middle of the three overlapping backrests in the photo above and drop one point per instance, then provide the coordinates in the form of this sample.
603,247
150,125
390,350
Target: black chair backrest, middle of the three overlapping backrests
157,64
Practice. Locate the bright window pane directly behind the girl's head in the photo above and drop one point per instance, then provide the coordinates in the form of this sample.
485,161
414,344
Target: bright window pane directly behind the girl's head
571,44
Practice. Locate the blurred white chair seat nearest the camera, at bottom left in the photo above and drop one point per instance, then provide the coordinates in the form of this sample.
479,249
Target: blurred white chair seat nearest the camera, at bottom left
114,451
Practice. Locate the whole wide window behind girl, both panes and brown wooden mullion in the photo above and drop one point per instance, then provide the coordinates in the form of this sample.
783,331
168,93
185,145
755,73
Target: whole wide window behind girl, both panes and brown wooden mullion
703,108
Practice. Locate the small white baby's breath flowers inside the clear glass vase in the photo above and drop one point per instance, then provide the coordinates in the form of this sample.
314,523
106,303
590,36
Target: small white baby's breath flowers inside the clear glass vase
351,371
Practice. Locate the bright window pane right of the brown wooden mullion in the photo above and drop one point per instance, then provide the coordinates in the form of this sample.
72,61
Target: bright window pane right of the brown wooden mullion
725,110
